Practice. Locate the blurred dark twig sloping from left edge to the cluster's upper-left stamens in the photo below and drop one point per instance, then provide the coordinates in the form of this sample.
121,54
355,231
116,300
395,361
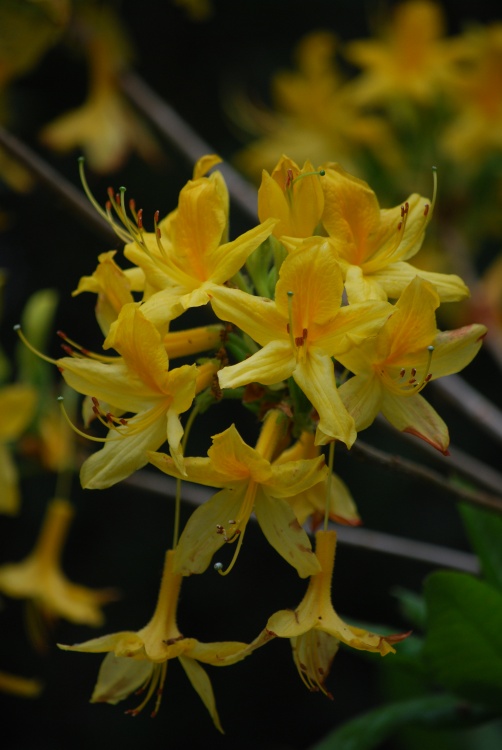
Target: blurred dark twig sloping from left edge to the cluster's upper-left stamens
73,198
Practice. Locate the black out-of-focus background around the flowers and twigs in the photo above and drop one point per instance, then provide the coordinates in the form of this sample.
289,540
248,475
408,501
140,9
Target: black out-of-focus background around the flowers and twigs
119,535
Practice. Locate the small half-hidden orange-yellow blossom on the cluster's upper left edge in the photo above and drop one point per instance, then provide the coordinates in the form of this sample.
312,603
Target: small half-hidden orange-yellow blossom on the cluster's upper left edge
113,287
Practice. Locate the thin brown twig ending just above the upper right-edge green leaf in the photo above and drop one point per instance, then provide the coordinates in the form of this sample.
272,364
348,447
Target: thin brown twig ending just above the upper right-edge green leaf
422,473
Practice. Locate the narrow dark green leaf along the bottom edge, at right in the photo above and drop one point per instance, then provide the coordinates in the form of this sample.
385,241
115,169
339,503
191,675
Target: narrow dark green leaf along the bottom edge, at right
371,729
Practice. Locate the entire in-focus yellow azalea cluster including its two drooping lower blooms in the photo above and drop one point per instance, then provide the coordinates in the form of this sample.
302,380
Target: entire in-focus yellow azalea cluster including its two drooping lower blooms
316,321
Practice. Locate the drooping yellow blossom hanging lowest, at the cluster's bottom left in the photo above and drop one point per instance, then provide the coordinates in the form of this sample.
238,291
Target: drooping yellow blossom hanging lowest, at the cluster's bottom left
137,661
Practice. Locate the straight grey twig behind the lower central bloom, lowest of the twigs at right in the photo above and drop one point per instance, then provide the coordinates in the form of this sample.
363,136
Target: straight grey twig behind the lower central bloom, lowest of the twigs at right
361,538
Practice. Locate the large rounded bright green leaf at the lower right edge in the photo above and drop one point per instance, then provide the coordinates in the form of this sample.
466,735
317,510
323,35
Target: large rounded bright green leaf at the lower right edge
463,648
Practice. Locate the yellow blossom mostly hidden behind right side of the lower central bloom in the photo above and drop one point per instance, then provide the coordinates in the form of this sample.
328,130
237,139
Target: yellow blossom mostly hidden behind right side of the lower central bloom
311,503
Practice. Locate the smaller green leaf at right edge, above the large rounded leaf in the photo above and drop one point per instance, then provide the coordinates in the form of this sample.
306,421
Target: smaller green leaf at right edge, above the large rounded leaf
484,530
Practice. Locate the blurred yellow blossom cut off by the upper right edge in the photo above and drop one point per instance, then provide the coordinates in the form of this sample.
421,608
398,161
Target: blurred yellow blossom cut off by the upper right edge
476,130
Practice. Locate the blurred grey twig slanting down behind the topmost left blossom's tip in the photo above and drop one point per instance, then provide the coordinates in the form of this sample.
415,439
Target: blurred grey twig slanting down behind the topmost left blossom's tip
185,139
